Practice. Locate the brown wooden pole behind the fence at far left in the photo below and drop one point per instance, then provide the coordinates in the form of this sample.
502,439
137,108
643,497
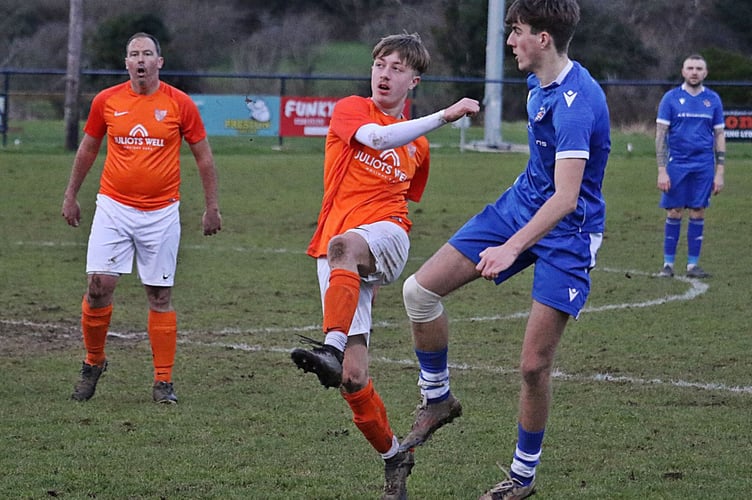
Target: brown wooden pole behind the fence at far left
73,73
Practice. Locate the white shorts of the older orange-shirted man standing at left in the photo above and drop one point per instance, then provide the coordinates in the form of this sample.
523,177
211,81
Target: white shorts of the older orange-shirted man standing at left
118,232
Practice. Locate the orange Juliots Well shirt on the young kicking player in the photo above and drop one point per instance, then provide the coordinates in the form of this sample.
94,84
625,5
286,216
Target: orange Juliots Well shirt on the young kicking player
363,185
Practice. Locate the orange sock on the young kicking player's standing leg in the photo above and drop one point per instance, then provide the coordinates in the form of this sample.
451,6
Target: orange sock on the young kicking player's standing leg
369,415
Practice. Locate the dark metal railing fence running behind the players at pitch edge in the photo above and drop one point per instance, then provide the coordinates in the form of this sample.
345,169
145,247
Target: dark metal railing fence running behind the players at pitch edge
40,93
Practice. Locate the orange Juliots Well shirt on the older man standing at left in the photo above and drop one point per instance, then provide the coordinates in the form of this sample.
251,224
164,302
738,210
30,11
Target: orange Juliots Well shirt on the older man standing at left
144,134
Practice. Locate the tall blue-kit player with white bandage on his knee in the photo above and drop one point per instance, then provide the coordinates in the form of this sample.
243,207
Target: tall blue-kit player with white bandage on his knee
552,217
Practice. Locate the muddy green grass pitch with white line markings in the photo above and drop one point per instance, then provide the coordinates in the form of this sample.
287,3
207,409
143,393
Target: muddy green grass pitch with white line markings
652,394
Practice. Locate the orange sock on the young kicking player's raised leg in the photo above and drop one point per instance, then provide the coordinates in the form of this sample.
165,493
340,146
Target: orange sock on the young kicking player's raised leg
341,300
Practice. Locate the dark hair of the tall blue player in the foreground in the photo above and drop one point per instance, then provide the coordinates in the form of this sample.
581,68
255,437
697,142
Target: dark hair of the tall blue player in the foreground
558,18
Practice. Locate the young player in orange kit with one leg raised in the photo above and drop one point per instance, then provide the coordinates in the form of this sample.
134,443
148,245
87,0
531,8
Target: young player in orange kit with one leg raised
374,162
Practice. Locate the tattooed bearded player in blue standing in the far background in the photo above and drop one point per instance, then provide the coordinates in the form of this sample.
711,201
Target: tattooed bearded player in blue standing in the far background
690,147
